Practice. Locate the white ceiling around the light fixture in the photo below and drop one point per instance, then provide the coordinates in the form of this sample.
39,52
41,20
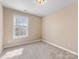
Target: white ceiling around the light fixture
32,7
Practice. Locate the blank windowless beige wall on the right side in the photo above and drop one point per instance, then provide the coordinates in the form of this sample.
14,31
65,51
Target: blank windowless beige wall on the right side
60,28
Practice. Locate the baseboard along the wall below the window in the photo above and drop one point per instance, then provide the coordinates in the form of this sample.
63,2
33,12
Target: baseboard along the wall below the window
20,43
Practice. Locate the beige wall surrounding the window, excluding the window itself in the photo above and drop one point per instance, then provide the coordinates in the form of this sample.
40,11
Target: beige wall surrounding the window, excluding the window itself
34,28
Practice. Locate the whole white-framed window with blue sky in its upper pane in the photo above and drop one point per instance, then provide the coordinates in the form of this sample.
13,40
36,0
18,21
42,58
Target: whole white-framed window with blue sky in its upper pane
20,26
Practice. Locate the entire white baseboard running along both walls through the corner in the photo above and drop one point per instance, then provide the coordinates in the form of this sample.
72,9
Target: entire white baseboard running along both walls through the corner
22,43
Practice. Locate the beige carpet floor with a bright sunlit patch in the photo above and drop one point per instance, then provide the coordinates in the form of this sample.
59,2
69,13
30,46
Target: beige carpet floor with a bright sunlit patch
38,50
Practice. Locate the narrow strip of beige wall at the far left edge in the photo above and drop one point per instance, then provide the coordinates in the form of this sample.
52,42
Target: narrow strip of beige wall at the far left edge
1,28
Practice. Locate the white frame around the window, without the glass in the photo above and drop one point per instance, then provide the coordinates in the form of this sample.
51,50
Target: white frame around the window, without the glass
14,27
